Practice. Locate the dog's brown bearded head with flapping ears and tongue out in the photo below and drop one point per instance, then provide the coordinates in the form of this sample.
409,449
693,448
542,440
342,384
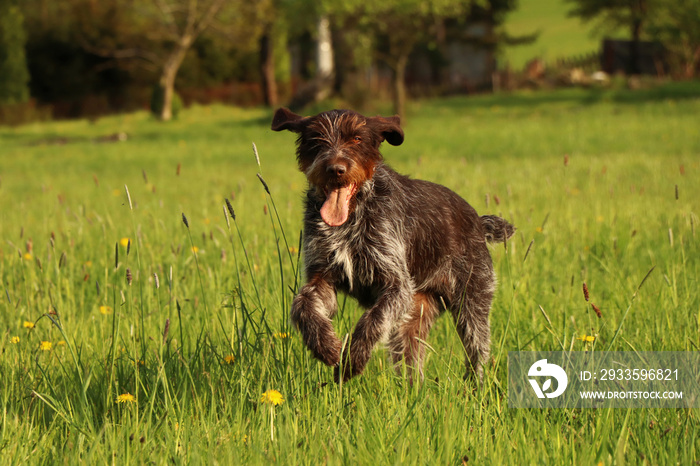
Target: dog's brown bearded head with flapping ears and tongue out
338,151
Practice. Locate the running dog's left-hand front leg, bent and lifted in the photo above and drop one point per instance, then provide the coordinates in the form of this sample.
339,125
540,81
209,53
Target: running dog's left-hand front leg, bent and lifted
312,311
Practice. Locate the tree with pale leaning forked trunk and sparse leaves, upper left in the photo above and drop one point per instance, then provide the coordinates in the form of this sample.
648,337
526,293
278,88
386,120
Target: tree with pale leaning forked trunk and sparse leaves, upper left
156,33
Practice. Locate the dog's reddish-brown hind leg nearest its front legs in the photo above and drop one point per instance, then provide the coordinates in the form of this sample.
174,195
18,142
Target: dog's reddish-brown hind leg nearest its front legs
408,340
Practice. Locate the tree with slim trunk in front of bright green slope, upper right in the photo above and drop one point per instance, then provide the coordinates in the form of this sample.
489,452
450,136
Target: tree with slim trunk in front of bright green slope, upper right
632,14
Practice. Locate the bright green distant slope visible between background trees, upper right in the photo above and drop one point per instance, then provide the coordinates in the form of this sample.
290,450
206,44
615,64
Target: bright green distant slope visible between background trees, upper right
560,35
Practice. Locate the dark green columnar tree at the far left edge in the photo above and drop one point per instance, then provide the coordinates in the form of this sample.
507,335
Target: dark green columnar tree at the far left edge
14,75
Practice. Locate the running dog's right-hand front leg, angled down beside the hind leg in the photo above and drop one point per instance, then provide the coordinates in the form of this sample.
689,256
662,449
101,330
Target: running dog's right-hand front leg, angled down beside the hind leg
374,326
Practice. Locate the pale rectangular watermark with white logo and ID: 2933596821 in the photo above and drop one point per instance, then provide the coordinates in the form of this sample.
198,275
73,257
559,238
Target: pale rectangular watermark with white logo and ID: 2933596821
598,379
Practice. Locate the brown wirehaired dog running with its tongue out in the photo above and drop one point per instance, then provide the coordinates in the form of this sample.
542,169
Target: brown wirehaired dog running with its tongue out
406,249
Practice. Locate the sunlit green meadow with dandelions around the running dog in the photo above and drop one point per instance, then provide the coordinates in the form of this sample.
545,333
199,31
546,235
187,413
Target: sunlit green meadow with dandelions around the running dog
170,365
